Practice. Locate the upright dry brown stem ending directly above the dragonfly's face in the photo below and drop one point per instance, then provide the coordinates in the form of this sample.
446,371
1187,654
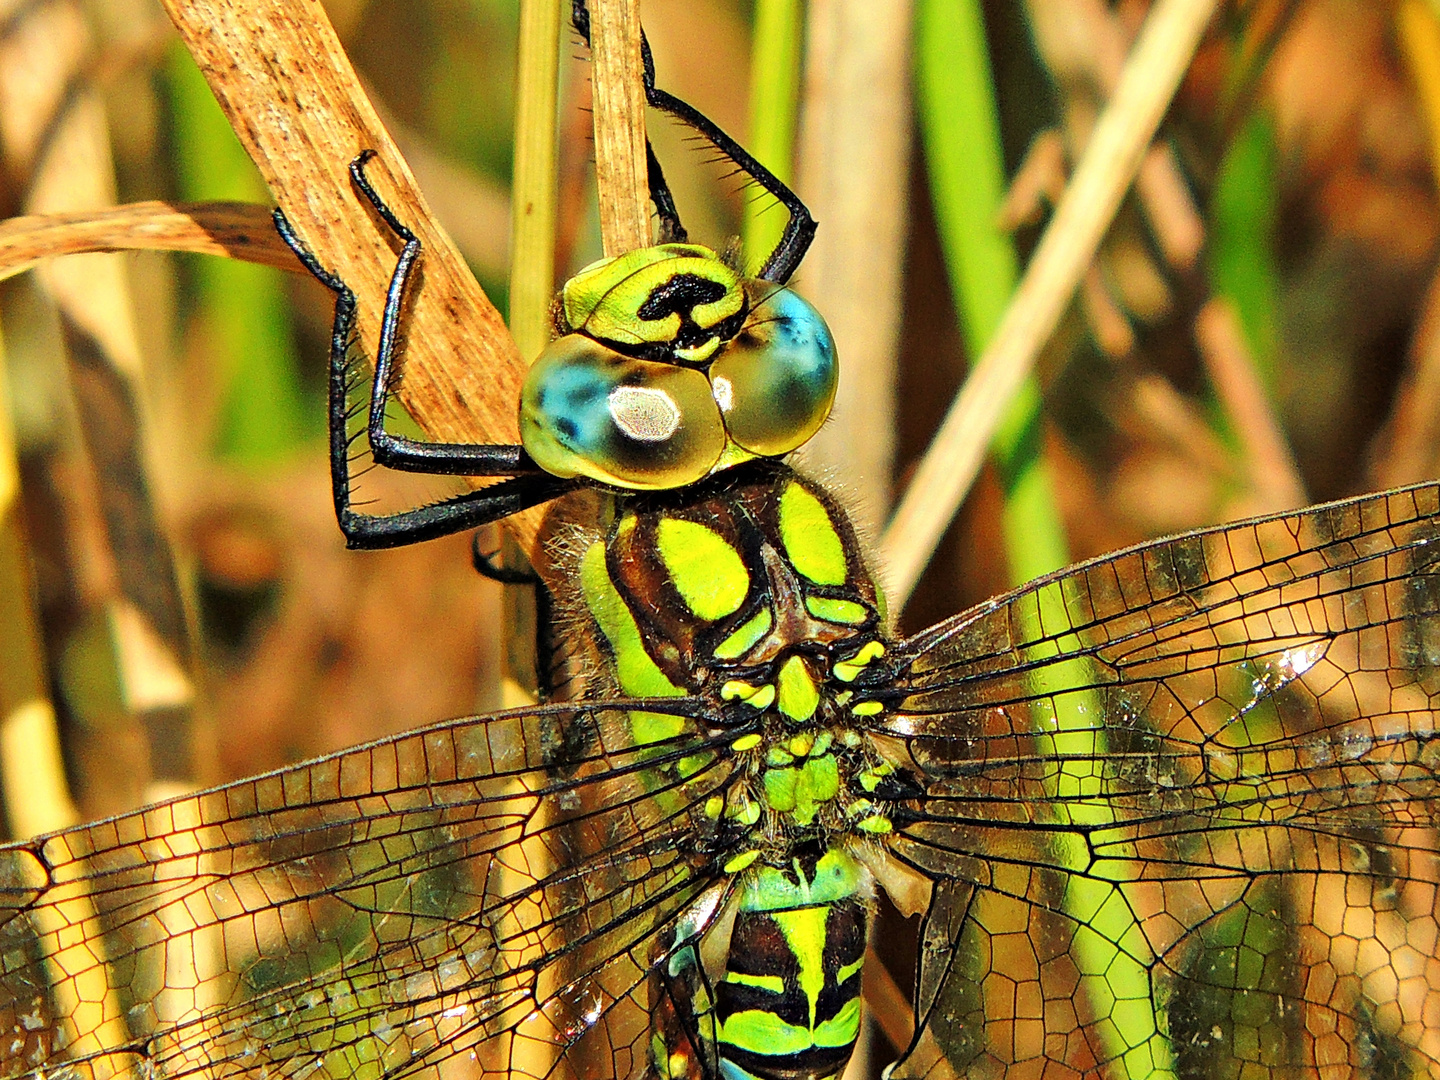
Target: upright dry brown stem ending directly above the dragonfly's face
620,126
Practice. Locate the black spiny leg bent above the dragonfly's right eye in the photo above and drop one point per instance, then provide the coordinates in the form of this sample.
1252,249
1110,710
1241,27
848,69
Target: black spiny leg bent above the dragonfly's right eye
800,230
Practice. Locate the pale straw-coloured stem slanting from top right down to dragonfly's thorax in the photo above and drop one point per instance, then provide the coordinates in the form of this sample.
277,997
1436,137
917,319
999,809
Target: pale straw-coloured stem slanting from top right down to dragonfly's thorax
1121,140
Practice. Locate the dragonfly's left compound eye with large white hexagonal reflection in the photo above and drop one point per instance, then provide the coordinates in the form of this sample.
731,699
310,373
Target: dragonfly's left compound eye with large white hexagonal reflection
588,411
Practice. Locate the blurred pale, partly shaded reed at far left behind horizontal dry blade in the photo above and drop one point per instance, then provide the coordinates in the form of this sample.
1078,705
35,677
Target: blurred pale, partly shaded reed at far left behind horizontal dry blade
71,172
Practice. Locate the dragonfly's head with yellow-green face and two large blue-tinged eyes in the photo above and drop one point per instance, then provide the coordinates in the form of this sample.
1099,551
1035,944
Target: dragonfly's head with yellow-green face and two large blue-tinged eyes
670,366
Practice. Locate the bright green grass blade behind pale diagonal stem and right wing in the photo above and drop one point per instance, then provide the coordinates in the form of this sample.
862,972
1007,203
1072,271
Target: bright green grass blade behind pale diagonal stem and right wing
960,127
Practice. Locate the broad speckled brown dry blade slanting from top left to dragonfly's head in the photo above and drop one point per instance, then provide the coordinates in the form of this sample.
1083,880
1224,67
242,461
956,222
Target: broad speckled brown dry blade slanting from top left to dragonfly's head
290,93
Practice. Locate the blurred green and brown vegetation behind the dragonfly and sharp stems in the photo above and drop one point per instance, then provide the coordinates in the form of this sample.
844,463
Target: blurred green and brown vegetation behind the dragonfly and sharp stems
1261,330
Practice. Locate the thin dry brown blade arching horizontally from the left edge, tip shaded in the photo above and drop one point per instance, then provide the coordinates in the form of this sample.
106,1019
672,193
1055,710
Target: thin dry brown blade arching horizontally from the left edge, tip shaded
237,231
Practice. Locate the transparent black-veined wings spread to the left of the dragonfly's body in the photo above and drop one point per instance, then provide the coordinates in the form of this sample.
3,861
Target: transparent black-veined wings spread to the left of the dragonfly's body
477,899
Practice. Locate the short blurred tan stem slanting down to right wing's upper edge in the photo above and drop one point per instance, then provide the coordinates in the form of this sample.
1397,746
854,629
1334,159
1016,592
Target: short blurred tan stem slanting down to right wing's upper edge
1272,472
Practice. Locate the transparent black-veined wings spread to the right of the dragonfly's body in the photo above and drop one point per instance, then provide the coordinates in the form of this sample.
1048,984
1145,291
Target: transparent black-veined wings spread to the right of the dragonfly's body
1180,809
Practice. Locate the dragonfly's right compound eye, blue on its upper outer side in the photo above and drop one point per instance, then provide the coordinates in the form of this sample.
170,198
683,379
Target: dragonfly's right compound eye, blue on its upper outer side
777,379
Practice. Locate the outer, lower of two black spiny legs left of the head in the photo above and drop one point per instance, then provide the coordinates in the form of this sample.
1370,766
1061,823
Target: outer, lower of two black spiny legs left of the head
469,510
